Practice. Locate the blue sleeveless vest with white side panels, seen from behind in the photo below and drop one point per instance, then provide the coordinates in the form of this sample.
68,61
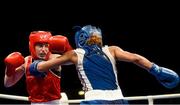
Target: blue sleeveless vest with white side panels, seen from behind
95,68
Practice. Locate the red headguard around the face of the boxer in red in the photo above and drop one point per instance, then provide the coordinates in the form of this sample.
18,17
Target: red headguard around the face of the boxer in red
38,37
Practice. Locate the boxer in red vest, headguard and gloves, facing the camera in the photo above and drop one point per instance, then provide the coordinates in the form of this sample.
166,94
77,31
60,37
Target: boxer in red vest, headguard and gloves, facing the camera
42,87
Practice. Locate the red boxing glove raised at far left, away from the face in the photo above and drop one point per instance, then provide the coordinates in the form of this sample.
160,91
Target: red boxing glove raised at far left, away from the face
13,61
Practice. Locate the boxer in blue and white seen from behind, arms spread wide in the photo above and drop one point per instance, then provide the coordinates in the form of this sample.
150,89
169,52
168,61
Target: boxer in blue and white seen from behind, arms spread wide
96,67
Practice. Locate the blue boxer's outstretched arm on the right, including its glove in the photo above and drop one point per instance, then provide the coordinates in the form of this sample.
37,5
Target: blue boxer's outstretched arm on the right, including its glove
167,77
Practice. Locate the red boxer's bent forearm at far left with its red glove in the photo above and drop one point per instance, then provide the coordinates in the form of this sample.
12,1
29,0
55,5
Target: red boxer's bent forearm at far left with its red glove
14,68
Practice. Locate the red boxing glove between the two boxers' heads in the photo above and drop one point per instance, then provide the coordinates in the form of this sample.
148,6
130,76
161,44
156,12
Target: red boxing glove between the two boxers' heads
59,44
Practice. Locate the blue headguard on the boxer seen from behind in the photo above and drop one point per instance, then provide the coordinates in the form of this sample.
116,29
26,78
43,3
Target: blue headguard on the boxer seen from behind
84,33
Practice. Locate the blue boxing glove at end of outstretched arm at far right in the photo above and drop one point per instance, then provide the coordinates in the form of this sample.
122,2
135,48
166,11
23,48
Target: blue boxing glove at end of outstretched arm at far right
168,78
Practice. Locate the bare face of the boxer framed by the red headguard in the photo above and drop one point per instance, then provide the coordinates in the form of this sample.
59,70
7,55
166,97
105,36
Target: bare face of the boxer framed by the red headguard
42,50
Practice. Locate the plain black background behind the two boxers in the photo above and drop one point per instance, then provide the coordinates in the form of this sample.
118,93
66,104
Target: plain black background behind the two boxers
149,29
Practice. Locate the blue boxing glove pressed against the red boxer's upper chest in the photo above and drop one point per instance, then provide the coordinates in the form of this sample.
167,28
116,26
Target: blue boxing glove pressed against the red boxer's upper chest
33,69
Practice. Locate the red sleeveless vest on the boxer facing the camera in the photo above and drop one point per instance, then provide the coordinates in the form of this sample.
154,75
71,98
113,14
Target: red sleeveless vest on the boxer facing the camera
42,89
